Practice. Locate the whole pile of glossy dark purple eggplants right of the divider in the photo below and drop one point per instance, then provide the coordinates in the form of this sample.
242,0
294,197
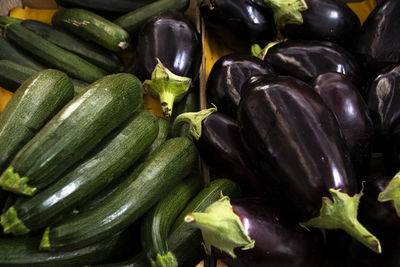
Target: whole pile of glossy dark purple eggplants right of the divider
306,122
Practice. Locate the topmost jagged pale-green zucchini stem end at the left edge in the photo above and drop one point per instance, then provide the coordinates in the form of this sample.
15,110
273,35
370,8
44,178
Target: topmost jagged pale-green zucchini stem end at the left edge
11,181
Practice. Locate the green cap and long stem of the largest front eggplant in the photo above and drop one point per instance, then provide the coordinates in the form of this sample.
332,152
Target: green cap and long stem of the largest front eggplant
340,212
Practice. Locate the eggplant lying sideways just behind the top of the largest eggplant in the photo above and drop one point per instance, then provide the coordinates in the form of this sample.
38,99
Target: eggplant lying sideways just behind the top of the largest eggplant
306,59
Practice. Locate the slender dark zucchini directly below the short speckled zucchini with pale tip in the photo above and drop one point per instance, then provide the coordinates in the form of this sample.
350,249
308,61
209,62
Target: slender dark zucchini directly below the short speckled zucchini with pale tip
92,52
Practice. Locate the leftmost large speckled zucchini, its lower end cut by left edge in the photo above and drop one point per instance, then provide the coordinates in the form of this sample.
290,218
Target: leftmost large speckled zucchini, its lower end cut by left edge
35,102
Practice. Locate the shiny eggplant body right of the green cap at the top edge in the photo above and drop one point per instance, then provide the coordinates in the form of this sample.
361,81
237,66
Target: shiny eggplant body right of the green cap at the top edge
325,20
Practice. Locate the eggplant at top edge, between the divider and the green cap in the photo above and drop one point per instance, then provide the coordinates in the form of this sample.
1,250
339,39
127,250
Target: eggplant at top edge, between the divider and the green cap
242,21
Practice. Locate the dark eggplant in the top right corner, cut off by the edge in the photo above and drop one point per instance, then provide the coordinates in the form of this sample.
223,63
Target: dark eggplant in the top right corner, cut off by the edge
378,44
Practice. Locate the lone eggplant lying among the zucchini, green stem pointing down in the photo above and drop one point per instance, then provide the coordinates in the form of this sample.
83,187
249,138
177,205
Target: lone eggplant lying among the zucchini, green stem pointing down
169,54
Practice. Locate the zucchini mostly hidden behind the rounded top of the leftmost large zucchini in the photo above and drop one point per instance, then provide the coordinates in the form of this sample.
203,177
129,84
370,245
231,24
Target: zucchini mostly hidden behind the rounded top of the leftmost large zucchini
12,75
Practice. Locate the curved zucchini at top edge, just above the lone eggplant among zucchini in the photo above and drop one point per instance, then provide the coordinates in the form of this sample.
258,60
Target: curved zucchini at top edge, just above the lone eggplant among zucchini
133,21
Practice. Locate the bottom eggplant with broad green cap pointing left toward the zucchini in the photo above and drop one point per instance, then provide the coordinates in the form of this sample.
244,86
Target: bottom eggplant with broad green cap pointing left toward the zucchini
250,232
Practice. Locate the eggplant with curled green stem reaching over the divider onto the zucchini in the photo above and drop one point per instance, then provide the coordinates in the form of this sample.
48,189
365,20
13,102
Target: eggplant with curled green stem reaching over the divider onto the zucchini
218,141
